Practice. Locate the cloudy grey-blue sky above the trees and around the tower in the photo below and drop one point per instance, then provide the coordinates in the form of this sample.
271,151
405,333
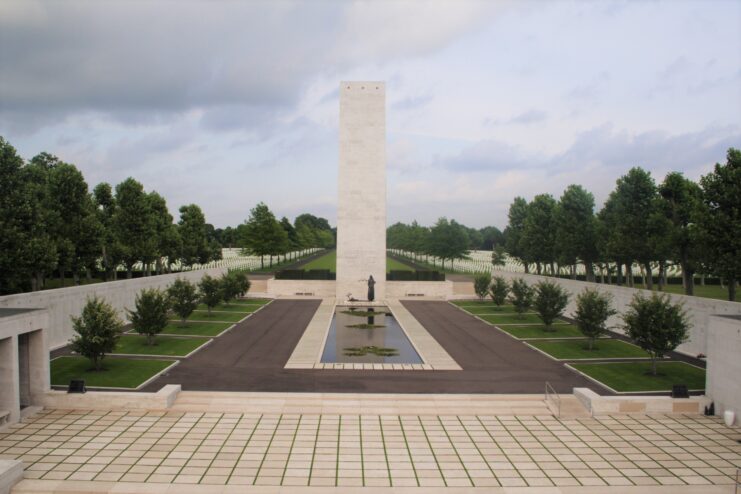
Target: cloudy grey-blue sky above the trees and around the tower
229,103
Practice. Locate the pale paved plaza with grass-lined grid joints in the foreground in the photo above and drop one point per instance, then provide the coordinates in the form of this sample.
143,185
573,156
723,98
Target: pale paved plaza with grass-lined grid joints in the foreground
272,449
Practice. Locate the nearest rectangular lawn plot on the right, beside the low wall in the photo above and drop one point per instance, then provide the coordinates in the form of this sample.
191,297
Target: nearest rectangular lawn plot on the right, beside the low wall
635,376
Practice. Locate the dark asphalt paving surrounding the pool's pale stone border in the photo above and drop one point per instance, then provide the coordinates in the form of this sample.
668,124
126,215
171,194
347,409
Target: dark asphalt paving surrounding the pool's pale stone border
251,358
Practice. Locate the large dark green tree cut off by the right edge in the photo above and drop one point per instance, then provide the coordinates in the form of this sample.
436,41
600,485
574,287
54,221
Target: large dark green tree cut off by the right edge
719,222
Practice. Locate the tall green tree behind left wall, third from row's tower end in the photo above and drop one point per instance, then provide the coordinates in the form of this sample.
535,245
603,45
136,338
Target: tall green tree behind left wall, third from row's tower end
135,230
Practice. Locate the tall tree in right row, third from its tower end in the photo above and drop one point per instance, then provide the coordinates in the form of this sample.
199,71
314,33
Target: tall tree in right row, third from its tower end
575,235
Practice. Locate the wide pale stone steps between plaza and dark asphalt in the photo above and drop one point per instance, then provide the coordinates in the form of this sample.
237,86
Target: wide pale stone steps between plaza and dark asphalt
372,404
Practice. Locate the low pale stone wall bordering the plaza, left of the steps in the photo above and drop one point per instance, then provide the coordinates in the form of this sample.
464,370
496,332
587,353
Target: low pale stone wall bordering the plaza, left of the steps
122,400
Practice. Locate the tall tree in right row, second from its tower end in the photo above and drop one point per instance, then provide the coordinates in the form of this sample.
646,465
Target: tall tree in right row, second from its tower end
538,236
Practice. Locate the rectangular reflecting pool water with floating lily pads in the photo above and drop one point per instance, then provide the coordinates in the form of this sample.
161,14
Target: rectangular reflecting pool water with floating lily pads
367,335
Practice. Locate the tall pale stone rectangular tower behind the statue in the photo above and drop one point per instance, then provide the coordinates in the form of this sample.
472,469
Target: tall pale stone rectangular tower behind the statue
361,211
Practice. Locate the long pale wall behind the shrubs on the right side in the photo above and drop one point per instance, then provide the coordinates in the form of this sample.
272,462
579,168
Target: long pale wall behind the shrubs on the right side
698,309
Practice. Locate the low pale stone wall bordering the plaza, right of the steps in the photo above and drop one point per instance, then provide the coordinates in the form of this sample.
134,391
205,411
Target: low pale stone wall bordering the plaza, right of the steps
611,405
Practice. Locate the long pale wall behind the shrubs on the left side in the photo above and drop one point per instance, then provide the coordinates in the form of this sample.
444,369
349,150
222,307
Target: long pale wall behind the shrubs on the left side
62,303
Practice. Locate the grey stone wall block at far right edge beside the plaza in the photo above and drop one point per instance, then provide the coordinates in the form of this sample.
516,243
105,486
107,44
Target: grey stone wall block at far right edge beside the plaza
723,384
